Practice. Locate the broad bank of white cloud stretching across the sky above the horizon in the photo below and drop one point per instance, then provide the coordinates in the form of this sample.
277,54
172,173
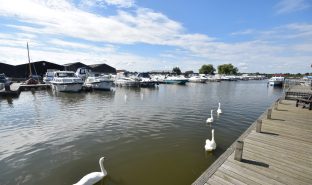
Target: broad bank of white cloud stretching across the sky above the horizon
50,23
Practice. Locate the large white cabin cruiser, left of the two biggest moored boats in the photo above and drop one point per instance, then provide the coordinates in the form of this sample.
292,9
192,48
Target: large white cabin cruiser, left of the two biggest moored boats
66,81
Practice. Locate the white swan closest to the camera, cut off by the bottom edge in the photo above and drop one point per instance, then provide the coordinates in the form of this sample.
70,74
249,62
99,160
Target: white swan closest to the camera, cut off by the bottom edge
94,177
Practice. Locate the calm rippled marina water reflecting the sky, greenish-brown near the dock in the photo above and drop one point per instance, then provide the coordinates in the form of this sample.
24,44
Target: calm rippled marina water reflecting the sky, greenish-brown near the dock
152,137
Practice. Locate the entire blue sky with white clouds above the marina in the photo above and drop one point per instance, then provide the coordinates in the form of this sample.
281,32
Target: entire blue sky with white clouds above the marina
256,36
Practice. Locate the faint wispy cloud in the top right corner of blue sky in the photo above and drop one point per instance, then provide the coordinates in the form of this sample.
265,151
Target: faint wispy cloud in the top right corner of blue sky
288,6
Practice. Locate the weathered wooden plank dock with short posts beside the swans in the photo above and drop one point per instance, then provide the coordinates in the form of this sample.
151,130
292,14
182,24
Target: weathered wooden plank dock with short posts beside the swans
280,154
